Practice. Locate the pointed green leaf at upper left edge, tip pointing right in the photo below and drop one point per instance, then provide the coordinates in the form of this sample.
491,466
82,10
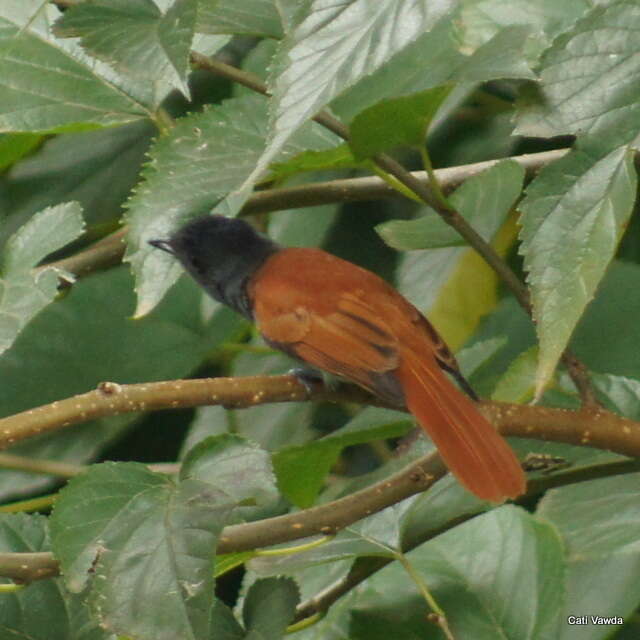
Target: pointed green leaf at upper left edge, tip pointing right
47,88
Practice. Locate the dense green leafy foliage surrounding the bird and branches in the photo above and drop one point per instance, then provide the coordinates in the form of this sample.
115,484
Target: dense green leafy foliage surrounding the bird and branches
111,115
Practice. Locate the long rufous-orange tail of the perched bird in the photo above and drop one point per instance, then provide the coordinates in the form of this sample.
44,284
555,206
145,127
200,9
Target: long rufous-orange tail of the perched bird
471,448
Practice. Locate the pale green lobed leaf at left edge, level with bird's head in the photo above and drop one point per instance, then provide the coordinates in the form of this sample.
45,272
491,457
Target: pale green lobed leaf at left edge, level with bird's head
23,293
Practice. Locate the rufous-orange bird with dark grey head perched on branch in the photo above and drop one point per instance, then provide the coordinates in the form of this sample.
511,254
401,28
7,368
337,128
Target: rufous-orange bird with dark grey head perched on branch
345,320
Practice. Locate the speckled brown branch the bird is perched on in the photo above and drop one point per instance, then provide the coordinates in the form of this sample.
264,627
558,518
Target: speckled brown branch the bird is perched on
594,427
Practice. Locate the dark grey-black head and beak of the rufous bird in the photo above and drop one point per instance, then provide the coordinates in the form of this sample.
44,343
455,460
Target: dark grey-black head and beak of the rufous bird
221,254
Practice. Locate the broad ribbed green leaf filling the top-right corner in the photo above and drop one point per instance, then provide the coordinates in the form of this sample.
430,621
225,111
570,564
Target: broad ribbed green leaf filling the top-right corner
590,79
